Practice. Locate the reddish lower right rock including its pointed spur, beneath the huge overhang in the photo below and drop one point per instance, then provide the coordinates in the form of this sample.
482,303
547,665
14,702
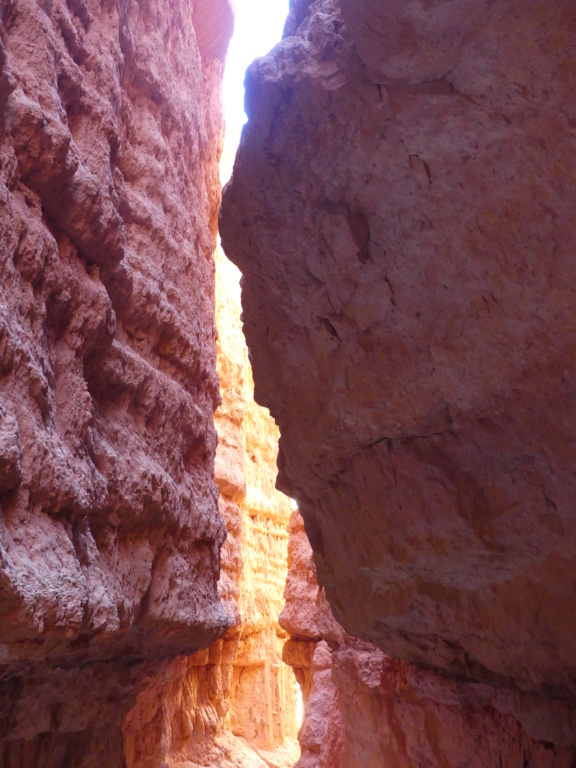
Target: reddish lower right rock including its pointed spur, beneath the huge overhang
364,708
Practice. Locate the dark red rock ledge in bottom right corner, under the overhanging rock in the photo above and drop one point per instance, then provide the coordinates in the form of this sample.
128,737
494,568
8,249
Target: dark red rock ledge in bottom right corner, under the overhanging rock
402,715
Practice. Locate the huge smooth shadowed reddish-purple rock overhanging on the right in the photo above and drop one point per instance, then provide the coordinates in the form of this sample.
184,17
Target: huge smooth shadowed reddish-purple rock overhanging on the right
402,209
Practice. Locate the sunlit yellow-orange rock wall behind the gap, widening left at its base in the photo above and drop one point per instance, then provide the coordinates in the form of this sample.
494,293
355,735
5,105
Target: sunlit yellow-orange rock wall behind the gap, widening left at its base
232,705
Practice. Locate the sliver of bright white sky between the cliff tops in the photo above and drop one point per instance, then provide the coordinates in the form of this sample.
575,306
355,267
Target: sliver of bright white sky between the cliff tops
257,28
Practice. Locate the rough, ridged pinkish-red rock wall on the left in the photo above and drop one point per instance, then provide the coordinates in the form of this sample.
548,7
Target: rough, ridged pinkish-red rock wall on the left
110,131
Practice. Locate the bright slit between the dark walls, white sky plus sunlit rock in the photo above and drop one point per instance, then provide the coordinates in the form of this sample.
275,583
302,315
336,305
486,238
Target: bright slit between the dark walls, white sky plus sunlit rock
265,701
